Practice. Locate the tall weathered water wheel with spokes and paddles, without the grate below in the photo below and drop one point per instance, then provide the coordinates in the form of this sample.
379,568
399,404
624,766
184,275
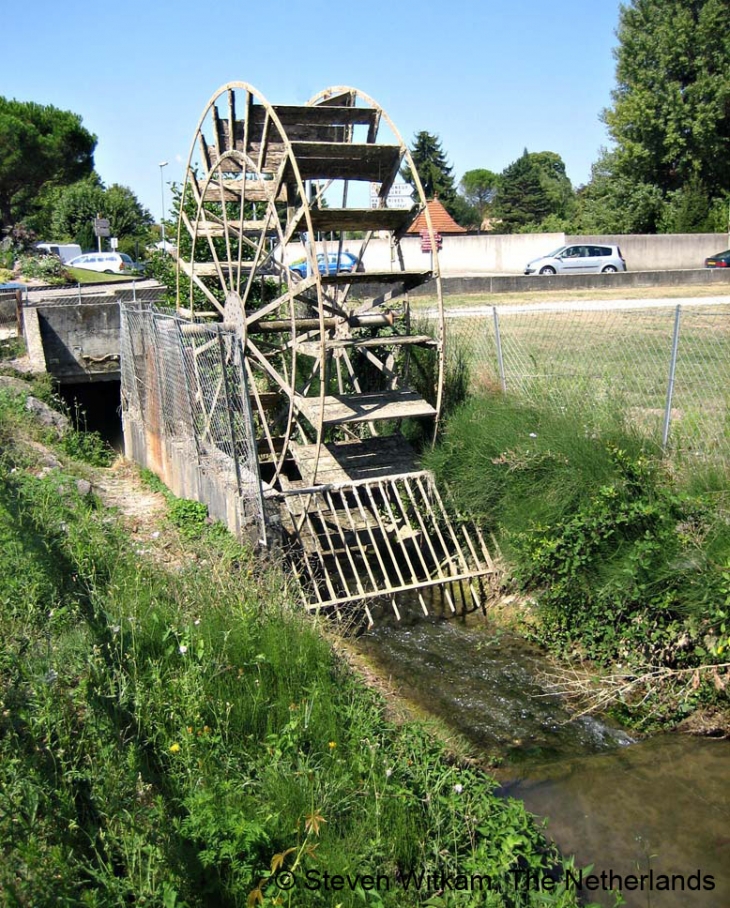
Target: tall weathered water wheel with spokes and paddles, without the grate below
244,202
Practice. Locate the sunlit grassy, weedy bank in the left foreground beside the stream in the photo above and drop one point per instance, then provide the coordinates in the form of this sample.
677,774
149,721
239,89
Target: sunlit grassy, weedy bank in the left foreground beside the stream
173,733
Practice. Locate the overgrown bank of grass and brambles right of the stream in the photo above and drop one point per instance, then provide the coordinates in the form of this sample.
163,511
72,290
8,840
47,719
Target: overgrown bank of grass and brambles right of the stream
627,563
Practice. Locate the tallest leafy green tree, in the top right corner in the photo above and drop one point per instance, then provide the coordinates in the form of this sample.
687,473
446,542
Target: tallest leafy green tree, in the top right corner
670,117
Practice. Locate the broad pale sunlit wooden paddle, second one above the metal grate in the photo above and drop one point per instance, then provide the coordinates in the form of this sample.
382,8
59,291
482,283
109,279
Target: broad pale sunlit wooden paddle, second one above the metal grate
354,408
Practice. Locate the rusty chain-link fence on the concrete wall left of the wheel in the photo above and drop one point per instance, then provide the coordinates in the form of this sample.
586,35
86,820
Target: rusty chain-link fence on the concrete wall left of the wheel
187,414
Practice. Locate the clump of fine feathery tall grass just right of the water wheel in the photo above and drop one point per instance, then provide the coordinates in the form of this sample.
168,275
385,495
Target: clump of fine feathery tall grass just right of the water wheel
513,464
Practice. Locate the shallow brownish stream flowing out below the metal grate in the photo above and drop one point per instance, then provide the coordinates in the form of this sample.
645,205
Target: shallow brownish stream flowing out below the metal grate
629,808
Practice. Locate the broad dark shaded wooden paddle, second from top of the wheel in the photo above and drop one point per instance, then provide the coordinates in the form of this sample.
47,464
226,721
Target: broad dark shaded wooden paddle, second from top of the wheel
345,161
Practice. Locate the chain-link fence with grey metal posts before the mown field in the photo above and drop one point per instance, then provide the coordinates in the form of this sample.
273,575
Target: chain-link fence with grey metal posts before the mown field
667,368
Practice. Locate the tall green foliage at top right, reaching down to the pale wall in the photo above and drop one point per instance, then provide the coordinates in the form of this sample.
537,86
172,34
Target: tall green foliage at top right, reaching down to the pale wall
670,121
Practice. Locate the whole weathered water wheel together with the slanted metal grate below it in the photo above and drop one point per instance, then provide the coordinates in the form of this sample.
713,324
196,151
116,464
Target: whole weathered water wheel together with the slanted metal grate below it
273,232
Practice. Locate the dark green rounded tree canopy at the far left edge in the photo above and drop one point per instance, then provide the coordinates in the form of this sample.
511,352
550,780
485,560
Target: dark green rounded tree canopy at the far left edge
40,148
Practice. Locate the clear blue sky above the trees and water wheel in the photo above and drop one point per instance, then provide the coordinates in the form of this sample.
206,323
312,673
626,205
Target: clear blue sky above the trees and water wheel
489,77
